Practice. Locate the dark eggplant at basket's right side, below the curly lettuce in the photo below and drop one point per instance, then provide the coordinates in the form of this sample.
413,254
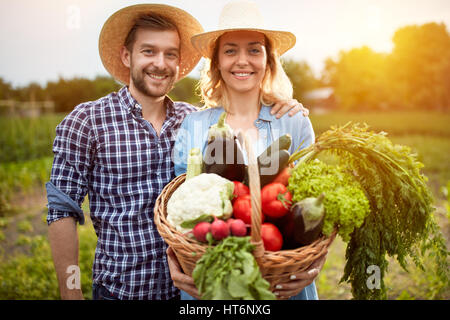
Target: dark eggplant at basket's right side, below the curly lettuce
303,224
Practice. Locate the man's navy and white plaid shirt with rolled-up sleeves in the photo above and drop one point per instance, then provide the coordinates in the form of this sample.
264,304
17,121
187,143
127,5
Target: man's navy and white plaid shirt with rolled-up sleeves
107,150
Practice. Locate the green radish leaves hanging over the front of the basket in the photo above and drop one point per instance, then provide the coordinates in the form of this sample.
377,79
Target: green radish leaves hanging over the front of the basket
228,271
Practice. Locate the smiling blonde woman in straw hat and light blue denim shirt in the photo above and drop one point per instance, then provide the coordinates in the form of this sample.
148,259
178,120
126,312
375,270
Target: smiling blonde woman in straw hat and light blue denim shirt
243,77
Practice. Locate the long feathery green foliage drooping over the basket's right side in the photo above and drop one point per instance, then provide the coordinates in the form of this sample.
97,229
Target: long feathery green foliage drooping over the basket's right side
401,221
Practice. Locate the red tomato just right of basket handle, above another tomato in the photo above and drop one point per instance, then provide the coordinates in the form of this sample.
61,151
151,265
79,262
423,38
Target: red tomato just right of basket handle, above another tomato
276,200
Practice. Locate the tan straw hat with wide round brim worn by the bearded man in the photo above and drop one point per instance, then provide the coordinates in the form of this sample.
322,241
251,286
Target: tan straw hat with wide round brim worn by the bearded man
116,29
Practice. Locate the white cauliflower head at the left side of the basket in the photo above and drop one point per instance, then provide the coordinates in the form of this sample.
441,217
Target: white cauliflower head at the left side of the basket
205,194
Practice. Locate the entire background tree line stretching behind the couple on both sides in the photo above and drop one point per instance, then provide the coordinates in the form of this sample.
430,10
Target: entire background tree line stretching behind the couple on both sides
414,76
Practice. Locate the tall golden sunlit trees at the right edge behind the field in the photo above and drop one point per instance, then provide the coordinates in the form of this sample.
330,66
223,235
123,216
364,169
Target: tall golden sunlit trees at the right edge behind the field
414,76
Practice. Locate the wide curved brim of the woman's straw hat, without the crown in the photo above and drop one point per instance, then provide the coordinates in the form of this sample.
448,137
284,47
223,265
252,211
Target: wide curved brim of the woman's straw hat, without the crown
281,41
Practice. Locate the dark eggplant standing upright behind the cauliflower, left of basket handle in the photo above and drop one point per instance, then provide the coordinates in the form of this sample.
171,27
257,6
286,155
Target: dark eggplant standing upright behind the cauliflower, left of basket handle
223,154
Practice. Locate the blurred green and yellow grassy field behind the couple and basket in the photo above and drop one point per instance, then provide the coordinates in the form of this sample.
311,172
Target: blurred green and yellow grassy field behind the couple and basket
26,268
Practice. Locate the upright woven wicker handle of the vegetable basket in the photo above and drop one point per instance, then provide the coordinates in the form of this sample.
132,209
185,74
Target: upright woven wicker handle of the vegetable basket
255,195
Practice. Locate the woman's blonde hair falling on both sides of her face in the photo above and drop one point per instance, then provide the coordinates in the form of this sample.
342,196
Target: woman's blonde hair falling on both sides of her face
275,85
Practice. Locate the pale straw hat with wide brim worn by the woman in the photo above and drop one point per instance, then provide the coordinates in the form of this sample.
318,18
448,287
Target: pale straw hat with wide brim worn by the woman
240,16
